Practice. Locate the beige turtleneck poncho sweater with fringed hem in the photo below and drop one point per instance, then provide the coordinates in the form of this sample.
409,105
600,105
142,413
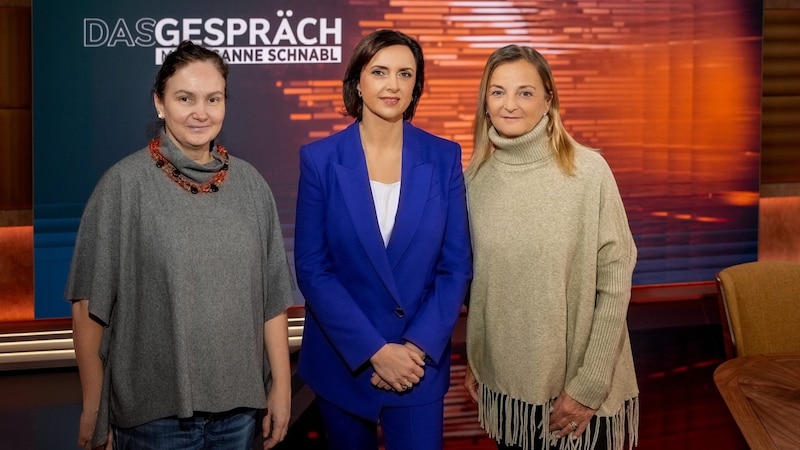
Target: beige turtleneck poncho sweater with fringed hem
553,261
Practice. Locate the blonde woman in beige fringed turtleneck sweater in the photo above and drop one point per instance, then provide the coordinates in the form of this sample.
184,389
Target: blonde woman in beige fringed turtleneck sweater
550,363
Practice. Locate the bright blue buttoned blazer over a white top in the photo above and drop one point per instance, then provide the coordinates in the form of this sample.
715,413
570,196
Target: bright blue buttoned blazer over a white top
361,295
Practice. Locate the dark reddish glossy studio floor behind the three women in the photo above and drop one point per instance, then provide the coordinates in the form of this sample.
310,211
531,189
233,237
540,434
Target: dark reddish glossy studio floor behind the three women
680,405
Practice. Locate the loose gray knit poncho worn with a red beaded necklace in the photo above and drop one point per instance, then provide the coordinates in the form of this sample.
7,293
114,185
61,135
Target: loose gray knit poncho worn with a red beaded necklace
184,283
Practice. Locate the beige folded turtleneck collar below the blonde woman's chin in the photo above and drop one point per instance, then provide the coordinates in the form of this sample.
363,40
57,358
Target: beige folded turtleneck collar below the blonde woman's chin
528,148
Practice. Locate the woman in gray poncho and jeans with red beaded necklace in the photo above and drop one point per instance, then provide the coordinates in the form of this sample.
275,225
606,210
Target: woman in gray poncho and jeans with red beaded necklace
179,284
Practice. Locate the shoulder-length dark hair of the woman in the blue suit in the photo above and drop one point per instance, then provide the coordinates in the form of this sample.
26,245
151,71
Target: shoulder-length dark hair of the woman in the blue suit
363,54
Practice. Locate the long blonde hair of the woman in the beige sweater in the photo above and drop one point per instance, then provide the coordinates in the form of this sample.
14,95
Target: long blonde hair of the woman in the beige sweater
560,139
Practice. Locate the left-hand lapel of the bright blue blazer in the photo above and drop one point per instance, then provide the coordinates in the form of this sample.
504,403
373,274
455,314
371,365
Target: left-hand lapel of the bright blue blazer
351,173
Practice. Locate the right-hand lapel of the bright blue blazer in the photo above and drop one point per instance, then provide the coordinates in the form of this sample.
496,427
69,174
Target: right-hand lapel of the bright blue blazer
415,187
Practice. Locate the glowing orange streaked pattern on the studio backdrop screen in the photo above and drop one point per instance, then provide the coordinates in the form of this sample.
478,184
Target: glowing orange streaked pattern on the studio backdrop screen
668,91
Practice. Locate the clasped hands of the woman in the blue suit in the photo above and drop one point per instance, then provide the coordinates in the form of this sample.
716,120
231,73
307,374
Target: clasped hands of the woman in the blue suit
398,367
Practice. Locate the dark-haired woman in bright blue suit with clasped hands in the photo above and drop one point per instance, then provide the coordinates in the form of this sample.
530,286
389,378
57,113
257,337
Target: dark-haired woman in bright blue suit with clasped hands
383,257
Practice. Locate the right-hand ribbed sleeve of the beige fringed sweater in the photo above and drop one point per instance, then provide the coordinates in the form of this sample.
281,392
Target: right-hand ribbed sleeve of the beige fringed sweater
616,258
